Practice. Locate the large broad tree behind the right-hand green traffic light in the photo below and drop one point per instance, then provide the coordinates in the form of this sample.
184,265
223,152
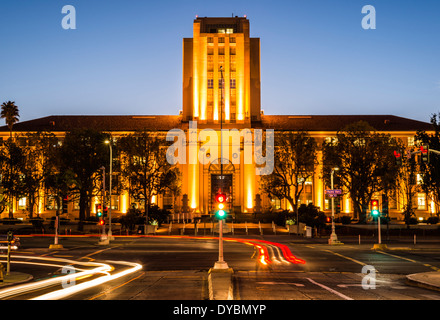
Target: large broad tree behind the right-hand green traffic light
366,164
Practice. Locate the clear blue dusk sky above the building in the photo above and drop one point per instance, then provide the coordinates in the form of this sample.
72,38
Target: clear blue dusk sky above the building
125,57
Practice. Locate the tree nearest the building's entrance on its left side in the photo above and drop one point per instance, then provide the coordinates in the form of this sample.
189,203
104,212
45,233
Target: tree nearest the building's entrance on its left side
144,167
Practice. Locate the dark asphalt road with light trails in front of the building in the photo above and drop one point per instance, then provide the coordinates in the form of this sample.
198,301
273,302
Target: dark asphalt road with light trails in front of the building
177,269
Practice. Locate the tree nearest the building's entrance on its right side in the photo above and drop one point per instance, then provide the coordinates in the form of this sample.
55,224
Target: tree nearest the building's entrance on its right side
294,162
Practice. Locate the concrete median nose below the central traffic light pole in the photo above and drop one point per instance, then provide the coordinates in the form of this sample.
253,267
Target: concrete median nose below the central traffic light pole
220,284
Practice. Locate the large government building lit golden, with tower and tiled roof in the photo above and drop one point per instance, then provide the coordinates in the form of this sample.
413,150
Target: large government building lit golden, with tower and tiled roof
221,89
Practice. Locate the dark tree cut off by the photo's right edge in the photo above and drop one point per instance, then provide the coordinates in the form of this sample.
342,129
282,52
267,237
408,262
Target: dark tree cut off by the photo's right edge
430,172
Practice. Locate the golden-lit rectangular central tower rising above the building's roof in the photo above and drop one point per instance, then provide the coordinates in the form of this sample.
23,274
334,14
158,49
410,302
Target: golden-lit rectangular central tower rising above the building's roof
221,57
